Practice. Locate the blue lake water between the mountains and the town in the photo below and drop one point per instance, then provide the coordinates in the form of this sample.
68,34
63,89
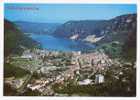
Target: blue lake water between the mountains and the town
60,44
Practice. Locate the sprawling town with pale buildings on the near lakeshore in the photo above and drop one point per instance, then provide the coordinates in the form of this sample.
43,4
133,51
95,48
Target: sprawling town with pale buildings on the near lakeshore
46,69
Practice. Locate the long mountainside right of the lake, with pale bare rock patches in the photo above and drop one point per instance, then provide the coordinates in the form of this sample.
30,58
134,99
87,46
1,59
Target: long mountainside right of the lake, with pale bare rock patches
117,36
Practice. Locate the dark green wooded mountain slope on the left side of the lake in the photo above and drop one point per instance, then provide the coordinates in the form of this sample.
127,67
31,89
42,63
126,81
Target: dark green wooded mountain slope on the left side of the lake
15,40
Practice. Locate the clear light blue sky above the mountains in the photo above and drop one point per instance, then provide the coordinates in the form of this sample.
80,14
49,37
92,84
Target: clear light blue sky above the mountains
60,13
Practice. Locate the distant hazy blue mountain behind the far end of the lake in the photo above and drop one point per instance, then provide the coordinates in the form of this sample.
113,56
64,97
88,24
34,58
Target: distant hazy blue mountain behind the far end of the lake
38,28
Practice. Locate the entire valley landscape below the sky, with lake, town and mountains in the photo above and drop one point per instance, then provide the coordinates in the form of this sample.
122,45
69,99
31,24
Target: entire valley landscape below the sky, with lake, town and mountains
77,58
